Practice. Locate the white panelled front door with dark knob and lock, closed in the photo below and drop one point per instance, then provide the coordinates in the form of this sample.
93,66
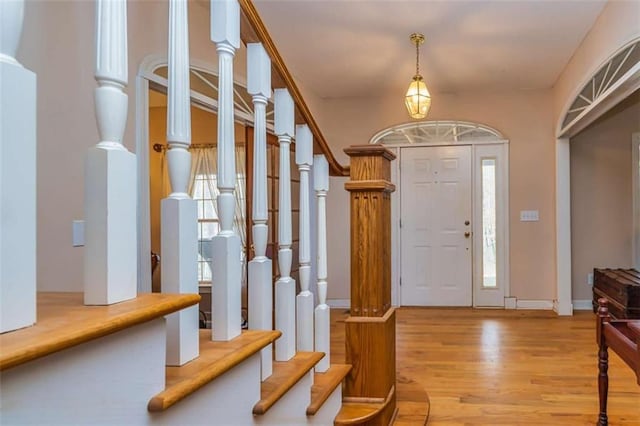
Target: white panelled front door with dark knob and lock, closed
435,235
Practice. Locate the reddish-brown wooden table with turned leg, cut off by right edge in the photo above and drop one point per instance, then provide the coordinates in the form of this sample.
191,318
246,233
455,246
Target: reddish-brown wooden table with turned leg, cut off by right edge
623,336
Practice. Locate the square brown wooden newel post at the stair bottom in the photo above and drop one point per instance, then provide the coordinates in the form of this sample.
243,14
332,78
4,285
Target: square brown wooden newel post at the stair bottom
370,330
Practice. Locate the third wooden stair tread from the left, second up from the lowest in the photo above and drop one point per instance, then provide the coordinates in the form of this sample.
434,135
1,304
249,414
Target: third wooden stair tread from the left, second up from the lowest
285,375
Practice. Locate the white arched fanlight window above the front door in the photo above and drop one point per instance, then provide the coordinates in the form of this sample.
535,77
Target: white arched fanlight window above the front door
425,132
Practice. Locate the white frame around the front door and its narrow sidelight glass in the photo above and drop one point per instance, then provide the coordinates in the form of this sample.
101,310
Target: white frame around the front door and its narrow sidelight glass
478,150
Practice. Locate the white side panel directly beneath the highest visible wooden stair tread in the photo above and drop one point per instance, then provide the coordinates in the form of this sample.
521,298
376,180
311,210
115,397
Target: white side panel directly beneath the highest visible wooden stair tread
106,381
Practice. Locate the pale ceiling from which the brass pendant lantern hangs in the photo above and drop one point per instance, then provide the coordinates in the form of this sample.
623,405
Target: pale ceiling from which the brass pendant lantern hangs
360,48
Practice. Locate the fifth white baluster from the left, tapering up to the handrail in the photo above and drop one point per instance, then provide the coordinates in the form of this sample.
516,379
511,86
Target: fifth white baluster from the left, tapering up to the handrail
260,285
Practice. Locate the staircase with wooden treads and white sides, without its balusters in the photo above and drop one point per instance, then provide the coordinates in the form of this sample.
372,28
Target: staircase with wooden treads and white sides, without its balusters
222,386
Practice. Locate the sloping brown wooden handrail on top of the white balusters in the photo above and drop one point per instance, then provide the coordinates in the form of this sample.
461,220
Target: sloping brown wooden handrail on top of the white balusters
253,30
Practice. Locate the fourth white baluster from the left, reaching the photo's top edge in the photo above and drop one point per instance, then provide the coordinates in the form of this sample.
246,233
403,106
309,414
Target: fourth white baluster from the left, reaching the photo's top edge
226,249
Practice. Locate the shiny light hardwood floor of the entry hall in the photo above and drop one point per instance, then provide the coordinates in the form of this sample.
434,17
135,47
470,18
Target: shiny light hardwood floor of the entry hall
495,367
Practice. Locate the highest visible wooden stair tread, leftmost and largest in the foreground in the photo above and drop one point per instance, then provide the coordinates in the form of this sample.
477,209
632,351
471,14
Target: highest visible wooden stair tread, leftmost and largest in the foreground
64,321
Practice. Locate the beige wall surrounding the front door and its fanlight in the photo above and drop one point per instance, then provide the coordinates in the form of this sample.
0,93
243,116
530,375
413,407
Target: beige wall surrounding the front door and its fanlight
524,117
